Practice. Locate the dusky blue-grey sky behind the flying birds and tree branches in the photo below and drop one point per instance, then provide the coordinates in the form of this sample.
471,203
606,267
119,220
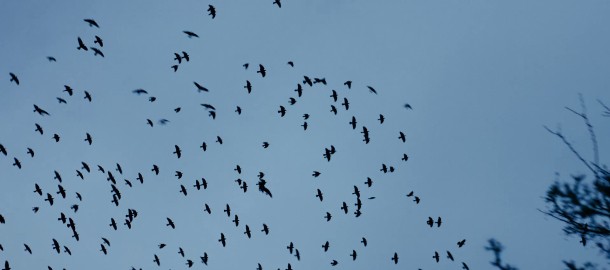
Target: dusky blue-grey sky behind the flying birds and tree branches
483,77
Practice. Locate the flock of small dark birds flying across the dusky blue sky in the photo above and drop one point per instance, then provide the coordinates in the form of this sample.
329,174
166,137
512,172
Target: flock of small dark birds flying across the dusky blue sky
63,188
